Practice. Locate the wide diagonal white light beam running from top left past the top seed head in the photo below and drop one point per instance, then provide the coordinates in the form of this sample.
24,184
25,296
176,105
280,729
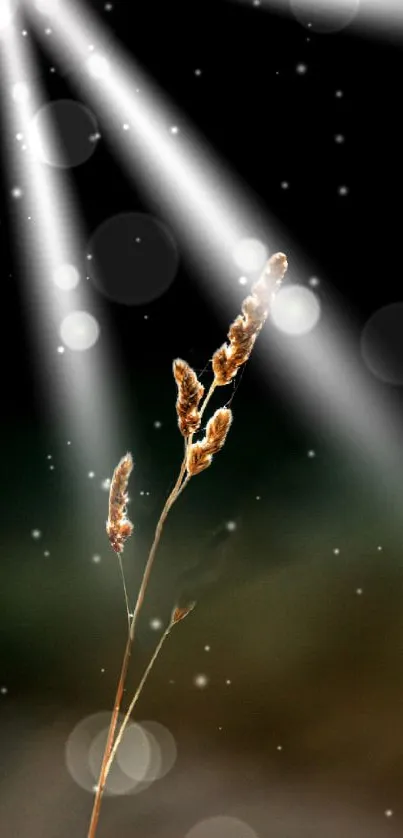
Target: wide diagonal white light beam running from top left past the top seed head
215,219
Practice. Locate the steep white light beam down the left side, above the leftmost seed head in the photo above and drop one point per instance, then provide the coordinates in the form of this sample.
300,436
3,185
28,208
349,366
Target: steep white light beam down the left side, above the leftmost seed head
70,352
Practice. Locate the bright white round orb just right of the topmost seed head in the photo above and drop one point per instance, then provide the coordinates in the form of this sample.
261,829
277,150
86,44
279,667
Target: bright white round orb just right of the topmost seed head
295,310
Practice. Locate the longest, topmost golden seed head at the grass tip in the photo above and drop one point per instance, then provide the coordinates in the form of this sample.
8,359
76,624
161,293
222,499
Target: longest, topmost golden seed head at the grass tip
246,327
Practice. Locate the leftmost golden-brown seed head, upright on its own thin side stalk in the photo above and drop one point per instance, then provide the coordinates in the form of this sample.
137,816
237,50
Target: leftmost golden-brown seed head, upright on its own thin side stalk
118,526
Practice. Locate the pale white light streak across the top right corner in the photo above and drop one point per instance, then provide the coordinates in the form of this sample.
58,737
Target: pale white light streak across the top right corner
375,16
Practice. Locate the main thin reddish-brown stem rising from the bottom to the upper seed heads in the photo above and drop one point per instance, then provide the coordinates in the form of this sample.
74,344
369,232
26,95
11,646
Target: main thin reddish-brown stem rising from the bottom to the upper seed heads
126,657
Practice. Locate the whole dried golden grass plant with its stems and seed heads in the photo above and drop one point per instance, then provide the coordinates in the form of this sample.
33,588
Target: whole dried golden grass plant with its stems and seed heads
197,457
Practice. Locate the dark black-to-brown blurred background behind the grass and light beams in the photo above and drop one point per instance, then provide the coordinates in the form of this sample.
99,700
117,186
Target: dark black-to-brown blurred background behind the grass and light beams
314,667
